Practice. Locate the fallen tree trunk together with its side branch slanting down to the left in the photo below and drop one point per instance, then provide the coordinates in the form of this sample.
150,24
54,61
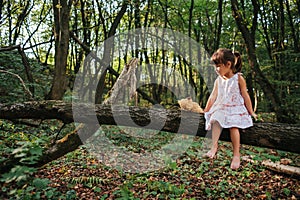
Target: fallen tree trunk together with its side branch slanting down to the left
271,135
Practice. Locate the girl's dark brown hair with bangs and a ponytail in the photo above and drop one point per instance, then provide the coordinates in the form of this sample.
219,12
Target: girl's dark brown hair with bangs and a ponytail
222,56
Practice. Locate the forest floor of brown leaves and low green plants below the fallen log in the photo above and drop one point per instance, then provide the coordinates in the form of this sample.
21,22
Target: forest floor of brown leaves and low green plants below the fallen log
80,175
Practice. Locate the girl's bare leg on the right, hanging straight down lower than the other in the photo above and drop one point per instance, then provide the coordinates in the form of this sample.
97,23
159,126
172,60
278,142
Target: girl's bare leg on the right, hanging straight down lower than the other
235,139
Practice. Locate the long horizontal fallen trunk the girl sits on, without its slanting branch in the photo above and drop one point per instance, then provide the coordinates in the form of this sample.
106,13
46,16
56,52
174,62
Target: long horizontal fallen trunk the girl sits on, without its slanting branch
271,135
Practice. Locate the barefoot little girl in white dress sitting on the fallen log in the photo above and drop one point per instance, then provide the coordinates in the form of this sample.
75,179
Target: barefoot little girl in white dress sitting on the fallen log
229,105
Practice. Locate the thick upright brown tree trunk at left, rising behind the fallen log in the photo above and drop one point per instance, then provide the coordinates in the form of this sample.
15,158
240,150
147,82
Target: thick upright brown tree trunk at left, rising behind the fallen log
61,33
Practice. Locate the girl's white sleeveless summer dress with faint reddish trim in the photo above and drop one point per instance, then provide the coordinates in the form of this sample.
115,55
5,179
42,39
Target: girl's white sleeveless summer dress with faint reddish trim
229,108
